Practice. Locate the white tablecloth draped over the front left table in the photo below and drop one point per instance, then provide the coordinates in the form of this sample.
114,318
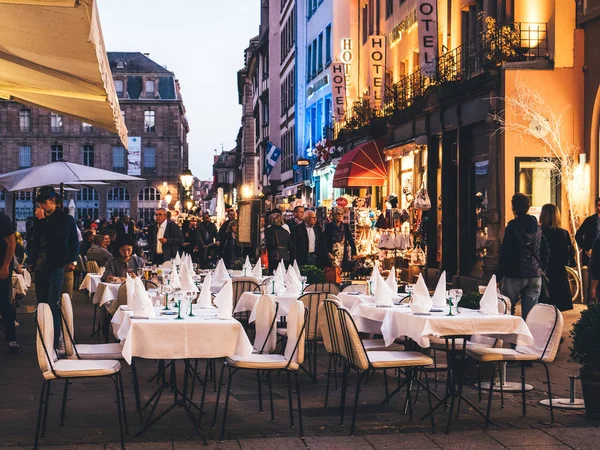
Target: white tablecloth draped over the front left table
203,336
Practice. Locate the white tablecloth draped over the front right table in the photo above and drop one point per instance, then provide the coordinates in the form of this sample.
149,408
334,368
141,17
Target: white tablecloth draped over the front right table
399,321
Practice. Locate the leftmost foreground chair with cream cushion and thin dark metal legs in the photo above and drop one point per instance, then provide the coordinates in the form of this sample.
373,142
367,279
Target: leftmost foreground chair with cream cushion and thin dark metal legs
67,369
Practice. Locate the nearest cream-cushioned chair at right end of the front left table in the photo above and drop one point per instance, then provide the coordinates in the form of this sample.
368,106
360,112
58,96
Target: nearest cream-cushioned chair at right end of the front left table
290,362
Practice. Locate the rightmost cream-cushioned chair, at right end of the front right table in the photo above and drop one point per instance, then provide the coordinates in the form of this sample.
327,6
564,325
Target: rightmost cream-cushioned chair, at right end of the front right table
545,323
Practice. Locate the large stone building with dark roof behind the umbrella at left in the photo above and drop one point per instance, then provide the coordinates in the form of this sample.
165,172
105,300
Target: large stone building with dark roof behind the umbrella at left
154,113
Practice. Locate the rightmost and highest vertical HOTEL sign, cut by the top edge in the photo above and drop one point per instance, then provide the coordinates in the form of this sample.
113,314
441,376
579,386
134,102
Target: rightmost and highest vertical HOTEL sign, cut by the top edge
428,42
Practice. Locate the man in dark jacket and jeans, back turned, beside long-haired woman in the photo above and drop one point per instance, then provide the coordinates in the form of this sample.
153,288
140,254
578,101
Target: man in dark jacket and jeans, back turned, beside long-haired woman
524,255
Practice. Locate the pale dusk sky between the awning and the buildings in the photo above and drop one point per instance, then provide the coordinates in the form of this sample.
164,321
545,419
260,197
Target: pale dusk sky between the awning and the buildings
203,43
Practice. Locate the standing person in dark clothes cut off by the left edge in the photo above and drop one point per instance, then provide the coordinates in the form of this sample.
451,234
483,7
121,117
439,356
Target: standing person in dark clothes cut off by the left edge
8,244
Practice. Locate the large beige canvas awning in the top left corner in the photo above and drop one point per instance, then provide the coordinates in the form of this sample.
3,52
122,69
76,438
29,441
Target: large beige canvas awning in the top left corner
52,55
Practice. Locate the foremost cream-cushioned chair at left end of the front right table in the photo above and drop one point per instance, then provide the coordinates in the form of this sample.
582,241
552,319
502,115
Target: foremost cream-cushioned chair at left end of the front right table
363,361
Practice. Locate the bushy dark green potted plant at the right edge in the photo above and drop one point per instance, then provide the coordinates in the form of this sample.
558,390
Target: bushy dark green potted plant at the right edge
585,350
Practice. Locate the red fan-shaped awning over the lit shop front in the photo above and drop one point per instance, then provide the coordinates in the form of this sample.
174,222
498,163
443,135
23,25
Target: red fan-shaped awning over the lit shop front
361,167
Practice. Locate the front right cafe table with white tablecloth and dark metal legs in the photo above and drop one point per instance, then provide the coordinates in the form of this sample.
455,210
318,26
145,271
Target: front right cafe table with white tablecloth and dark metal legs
398,320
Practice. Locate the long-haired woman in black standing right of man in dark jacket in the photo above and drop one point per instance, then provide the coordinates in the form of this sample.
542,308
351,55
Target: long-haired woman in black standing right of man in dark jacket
560,245
